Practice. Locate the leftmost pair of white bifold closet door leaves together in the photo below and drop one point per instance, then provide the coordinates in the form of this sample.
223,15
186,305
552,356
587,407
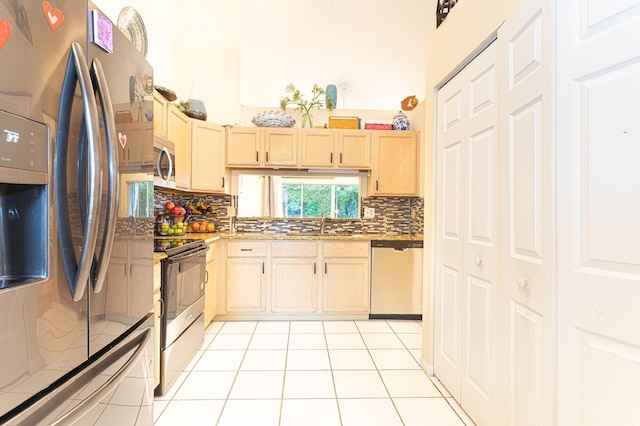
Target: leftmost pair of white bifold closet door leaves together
467,217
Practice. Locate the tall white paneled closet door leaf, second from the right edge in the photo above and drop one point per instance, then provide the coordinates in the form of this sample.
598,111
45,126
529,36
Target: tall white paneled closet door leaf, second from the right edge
527,249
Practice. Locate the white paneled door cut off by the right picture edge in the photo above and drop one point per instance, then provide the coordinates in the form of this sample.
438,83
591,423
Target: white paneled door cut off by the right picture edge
598,133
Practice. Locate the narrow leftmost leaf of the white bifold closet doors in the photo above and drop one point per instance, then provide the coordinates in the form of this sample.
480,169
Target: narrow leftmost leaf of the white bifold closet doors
449,254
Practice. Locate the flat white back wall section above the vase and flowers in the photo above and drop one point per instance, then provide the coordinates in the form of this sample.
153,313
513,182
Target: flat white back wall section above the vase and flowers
376,48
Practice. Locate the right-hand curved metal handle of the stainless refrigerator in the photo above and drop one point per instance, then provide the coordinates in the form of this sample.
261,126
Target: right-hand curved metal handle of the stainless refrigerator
113,179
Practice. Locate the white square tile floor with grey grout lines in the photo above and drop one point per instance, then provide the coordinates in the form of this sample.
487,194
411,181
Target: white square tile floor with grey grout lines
352,373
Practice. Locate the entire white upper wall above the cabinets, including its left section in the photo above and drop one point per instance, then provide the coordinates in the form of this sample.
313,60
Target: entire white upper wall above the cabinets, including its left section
245,52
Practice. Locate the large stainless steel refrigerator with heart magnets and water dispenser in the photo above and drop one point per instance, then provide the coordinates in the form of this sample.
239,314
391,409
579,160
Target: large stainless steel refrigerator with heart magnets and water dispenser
76,218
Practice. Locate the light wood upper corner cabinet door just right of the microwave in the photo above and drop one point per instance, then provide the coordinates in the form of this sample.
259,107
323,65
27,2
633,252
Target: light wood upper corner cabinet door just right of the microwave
207,157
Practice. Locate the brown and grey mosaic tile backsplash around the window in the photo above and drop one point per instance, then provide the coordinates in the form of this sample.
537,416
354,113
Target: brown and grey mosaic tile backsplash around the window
396,216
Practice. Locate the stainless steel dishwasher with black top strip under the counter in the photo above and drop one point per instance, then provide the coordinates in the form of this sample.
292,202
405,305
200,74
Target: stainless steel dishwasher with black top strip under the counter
396,279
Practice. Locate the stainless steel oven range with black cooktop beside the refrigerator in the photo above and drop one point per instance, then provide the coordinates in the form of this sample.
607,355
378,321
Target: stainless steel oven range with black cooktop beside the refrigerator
182,291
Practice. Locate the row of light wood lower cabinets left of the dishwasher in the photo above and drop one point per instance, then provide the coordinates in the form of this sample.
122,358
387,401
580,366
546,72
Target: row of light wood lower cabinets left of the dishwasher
295,277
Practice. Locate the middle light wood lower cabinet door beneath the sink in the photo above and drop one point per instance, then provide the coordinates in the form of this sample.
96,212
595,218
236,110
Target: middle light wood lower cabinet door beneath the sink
294,285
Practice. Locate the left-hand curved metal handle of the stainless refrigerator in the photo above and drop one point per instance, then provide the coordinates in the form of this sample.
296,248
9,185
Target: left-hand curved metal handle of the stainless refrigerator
77,272
